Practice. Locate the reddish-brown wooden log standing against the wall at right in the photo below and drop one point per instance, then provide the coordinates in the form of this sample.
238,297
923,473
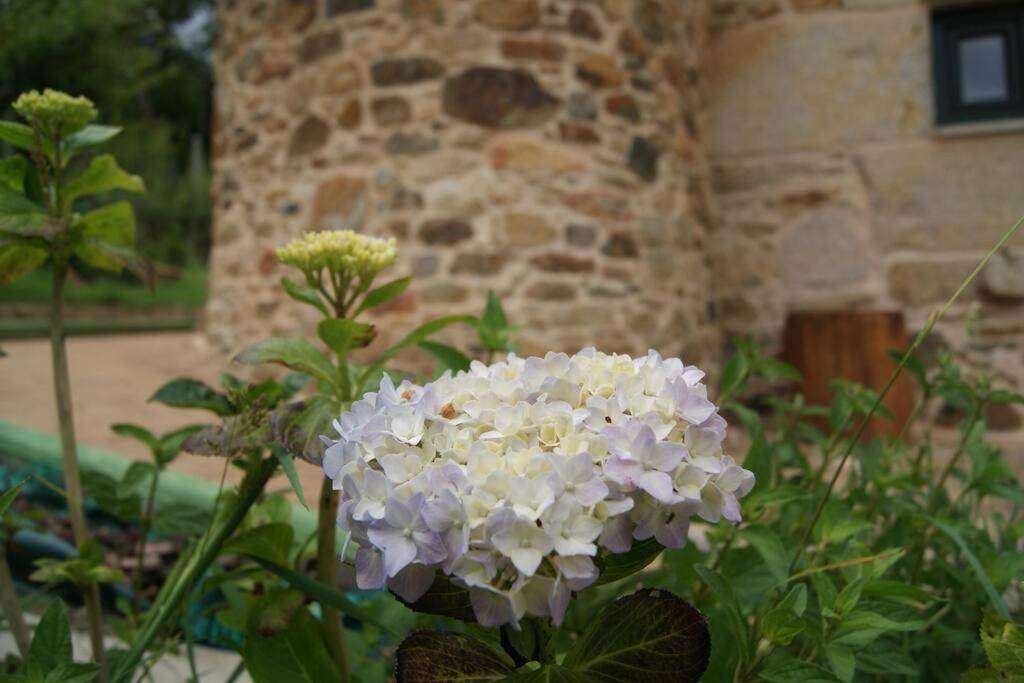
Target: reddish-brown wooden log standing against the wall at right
850,346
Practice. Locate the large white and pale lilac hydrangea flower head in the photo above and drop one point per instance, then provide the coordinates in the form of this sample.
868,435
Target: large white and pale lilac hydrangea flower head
513,479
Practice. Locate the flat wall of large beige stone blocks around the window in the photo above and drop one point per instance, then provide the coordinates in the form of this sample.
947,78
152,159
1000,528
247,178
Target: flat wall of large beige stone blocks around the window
835,188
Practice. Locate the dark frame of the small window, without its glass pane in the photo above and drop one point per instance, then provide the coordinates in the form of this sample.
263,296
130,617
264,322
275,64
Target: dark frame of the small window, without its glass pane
949,28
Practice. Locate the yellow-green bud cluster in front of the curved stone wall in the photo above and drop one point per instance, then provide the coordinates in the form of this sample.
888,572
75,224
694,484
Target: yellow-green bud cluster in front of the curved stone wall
339,251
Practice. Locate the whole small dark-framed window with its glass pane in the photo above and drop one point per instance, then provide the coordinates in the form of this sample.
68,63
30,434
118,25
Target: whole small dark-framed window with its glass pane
979,64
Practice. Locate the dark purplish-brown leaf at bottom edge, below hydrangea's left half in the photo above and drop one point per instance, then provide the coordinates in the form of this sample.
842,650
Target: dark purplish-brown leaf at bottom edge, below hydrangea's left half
449,658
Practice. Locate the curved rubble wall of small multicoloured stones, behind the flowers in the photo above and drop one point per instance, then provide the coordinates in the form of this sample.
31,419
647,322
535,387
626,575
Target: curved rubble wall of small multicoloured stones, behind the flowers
549,150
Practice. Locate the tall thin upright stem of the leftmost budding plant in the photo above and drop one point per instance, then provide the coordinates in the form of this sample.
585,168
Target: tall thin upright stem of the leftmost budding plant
73,480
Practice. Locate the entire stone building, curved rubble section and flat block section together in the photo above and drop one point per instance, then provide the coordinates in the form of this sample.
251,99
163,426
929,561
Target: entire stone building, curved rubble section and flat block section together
628,174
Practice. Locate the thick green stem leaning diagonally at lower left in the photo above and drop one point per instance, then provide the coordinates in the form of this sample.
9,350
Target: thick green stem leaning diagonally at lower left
175,592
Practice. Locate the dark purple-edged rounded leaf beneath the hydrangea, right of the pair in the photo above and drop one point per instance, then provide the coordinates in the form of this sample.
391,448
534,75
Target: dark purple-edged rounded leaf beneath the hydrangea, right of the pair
650,635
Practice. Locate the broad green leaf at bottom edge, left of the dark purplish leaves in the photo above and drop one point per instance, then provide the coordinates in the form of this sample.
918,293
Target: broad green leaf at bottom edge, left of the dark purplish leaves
297,656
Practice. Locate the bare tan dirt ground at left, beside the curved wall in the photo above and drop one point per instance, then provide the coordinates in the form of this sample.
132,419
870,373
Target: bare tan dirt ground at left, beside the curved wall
112,381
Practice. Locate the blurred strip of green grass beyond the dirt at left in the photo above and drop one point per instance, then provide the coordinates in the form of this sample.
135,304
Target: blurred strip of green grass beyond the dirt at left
189,291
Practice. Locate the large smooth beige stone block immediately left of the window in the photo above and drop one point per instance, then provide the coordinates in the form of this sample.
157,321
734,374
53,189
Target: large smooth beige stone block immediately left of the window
831,78
